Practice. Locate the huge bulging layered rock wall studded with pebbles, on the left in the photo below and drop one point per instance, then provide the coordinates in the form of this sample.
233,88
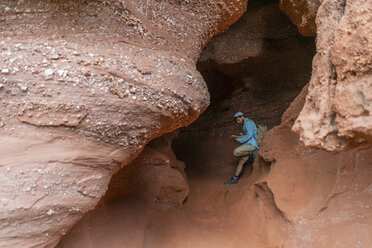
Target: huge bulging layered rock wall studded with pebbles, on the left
84,86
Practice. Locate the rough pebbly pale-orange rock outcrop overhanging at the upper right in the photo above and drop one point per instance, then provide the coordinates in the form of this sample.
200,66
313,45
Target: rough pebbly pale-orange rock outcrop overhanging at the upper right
337,110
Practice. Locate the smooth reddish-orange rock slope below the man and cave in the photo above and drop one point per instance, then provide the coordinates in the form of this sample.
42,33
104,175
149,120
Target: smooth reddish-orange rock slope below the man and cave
294,197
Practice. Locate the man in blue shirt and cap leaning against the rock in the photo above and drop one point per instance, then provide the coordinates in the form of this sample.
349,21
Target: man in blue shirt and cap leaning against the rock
249,147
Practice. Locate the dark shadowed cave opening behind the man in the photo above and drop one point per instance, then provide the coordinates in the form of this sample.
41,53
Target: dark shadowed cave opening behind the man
257,67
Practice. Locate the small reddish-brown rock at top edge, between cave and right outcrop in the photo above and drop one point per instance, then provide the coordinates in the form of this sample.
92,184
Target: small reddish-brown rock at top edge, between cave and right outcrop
302,13
